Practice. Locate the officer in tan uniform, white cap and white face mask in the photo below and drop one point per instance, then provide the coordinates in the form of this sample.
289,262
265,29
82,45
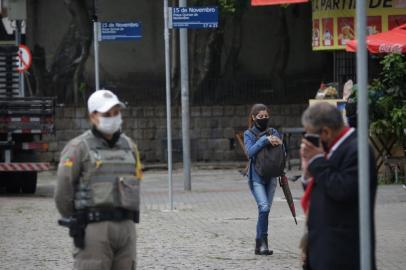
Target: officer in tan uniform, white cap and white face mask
97,191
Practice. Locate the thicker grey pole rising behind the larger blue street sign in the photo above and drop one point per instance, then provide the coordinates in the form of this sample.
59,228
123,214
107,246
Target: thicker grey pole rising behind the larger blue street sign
184,74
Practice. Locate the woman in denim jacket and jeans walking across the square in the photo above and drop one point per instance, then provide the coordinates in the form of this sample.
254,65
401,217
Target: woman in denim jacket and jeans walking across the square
263,190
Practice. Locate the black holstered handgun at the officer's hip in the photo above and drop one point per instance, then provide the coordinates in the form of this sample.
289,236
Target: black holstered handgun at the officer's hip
76,224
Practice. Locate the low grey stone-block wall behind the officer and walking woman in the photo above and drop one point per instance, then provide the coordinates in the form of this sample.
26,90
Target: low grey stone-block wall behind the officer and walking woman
212,130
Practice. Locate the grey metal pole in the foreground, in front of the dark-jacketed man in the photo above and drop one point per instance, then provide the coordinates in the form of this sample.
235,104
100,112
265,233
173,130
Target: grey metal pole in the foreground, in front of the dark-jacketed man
363,148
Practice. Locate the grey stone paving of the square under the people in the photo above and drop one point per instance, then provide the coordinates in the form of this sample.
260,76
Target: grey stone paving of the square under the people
212,227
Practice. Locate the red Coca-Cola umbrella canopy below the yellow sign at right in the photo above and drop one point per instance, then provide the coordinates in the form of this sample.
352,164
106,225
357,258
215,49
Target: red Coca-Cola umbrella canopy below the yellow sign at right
386,42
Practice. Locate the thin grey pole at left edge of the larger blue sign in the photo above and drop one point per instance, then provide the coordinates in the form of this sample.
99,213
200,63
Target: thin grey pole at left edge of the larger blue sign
168,102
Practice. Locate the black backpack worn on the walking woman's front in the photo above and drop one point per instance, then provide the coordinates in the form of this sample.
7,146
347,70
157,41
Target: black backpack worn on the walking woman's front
270,160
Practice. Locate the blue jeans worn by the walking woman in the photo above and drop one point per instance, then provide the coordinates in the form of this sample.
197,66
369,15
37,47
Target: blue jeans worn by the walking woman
263,194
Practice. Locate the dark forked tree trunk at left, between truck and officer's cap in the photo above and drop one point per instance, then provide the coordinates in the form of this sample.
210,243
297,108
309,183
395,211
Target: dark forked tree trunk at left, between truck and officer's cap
65,75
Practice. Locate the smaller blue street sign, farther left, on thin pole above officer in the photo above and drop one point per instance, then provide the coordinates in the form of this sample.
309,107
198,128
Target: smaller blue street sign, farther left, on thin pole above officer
119,31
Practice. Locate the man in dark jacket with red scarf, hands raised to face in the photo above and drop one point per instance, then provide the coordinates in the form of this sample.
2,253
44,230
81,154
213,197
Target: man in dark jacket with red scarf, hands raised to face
331,196
